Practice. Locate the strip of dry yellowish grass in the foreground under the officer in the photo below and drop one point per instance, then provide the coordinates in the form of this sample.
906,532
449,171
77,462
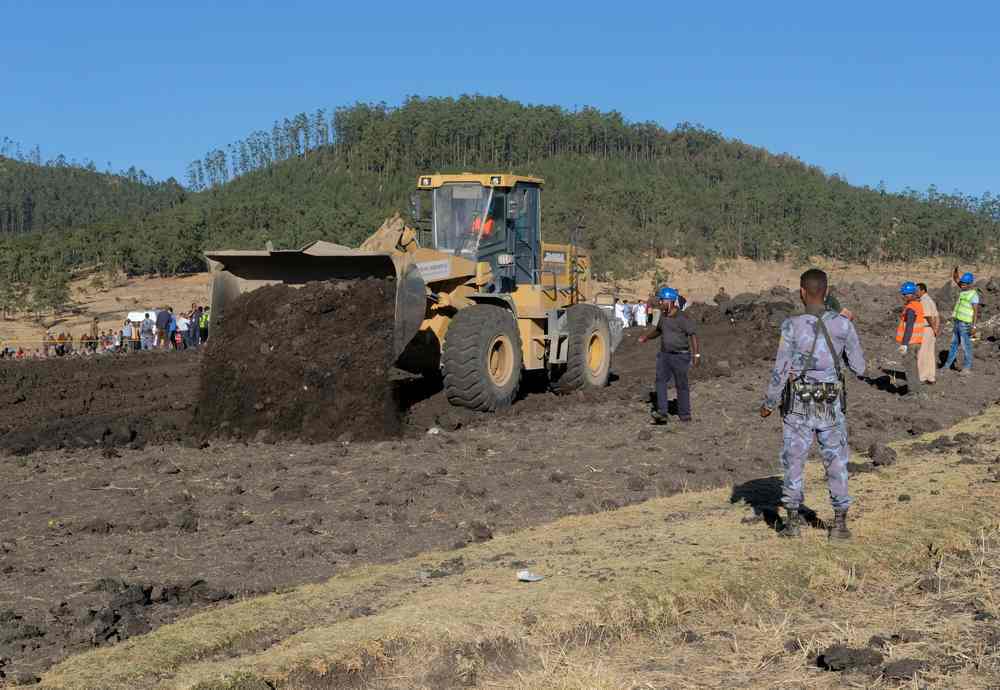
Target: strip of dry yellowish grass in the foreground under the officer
670,593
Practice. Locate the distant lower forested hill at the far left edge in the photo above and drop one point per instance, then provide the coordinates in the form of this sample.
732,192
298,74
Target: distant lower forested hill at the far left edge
61,195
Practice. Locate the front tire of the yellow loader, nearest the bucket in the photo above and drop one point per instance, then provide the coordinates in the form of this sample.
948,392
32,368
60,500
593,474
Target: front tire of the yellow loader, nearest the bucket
481,361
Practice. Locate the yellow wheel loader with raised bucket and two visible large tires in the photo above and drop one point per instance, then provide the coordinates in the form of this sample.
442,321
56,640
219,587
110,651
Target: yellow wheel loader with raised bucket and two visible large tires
479,297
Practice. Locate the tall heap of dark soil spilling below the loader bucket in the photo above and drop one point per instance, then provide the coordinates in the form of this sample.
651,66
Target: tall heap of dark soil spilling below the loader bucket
306,363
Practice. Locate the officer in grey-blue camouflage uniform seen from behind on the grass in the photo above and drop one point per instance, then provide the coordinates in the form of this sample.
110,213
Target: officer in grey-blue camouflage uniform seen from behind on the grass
809,383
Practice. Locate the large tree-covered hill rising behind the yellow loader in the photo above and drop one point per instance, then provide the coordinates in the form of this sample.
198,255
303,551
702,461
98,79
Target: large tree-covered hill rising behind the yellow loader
637,189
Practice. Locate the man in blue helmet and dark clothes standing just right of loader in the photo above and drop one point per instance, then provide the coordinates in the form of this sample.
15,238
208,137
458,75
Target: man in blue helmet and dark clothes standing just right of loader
679,350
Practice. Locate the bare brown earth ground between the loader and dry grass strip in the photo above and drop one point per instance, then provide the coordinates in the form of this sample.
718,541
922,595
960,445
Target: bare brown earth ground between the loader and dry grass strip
103,543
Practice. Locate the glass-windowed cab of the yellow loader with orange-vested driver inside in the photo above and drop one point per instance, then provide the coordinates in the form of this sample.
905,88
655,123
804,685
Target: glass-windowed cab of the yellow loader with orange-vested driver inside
485,218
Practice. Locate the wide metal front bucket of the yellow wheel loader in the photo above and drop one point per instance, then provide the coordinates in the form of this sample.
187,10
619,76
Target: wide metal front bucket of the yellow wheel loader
236,272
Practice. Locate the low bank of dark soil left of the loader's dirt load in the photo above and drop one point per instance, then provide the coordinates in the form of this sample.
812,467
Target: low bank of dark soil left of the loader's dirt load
101,401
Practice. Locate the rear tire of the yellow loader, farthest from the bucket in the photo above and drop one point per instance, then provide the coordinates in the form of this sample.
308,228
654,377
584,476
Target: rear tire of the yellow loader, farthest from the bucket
588,354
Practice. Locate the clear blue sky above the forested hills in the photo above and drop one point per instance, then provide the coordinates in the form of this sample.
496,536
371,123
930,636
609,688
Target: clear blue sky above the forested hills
901,92
